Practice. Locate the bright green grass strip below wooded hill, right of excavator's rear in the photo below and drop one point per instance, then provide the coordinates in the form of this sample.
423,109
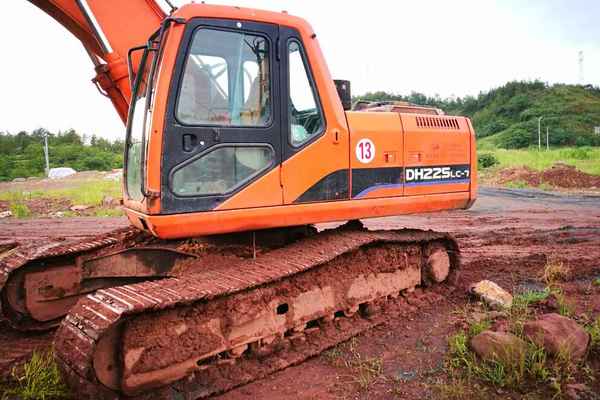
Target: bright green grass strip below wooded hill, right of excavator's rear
585,159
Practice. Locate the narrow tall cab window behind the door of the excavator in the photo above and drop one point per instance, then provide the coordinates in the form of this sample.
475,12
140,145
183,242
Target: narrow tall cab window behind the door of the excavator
305,116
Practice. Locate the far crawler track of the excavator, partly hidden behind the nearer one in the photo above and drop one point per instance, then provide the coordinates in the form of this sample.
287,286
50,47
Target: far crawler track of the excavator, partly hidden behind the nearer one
41,281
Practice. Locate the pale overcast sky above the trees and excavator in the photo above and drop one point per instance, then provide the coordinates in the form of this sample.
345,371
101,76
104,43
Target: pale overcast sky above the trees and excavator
450,48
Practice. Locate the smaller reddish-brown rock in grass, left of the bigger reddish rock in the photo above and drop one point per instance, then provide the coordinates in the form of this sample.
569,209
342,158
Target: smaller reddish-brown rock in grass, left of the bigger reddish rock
500,346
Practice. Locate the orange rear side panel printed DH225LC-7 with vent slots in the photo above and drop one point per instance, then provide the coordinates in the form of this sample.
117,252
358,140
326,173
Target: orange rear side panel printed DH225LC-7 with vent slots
437,154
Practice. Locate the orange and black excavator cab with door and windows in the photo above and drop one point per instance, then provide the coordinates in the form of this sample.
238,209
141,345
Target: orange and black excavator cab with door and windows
218,105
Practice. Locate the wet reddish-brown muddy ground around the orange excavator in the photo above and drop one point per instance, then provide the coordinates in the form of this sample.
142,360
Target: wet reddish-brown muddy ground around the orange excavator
508,236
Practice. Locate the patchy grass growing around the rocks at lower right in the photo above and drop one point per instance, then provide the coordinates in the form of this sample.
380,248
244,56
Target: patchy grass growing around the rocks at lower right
533,369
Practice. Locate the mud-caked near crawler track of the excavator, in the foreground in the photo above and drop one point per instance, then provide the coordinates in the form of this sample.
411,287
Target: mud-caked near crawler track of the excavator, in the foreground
232,323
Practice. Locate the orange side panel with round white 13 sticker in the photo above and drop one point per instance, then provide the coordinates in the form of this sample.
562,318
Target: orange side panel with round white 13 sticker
376,156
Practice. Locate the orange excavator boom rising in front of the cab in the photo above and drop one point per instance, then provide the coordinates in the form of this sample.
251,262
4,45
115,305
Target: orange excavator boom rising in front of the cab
108,29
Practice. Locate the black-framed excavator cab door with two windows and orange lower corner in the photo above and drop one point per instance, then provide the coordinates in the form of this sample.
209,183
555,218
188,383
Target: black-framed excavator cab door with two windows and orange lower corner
223,130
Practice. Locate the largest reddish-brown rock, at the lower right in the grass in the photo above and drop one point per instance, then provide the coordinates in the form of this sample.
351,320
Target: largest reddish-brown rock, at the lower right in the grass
558,334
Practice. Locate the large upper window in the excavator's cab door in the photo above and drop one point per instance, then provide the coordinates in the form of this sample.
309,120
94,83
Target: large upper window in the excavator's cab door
226,80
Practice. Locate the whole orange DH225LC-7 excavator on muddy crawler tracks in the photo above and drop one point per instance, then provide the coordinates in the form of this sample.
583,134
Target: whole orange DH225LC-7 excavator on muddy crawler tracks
238,142
